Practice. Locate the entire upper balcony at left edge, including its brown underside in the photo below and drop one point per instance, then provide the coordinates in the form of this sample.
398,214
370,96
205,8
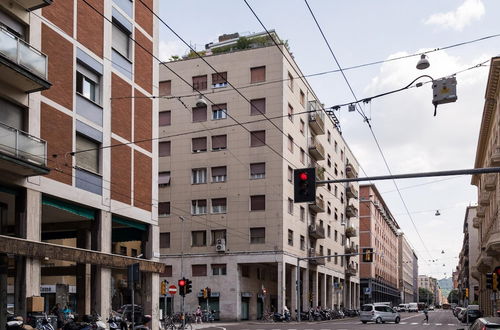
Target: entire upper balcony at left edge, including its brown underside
21,65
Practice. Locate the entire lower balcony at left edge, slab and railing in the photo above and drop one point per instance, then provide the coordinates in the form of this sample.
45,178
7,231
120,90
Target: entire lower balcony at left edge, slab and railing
21,153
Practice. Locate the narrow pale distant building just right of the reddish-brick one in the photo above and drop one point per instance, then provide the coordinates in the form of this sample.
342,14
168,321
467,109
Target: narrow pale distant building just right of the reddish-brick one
405,270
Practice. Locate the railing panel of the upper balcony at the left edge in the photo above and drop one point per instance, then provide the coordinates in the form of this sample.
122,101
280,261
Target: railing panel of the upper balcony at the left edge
21,53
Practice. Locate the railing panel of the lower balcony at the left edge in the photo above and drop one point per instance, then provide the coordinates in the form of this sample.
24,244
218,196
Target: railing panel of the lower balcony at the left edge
21,145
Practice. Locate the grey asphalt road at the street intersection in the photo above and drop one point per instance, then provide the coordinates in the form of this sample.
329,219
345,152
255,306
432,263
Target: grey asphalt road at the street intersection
438,320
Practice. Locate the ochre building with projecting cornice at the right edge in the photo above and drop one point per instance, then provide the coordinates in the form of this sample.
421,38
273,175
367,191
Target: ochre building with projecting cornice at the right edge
487,220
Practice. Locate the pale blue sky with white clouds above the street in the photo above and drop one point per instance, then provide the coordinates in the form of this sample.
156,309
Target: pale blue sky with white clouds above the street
410,137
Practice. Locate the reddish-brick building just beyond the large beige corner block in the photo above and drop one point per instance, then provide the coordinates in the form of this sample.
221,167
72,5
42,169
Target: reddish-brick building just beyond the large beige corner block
379,230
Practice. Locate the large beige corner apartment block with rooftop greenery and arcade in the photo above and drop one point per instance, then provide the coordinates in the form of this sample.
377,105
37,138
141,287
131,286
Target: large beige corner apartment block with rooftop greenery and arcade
226,213
